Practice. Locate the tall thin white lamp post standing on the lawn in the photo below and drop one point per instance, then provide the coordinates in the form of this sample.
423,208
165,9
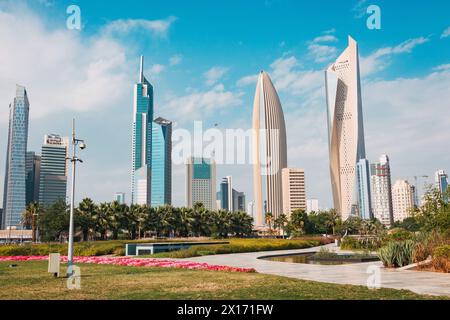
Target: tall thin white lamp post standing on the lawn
75,142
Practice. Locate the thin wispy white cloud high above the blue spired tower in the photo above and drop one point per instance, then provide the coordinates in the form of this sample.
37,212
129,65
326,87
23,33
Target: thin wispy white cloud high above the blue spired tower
124,26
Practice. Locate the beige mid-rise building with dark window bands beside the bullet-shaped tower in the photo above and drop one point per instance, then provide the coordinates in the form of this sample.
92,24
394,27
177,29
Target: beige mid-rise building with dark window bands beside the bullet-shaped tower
294,194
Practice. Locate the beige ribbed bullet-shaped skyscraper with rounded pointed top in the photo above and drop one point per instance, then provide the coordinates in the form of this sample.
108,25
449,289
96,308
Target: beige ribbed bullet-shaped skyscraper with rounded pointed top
269,150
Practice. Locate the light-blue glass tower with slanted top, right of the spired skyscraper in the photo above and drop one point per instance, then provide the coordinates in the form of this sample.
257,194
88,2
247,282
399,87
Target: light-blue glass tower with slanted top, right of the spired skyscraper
161,163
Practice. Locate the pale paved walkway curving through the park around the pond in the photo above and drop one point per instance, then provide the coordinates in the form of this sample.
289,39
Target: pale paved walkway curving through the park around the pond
355,274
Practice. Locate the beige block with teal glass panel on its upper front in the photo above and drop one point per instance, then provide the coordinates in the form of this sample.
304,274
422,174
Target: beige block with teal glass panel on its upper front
201,182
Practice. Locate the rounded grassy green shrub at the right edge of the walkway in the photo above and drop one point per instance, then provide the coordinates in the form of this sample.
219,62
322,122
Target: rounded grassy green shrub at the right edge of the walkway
397,253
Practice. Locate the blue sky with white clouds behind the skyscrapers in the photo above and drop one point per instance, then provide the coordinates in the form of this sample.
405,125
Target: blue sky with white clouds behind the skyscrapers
201,57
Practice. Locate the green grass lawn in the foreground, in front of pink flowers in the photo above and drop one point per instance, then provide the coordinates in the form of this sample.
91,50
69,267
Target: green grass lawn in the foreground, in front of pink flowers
30,280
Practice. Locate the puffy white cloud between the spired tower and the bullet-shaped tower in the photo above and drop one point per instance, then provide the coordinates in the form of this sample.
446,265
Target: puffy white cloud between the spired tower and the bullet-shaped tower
197,105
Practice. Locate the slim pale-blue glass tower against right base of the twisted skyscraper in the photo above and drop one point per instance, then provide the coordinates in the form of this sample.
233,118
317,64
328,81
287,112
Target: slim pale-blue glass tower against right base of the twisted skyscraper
364,194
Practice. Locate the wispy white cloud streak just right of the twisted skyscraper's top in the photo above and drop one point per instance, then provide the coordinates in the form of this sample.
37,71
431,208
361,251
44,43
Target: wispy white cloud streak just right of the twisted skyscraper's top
379,60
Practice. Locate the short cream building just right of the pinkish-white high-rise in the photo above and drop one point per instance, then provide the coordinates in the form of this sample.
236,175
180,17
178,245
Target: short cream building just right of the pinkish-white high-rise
402,200
